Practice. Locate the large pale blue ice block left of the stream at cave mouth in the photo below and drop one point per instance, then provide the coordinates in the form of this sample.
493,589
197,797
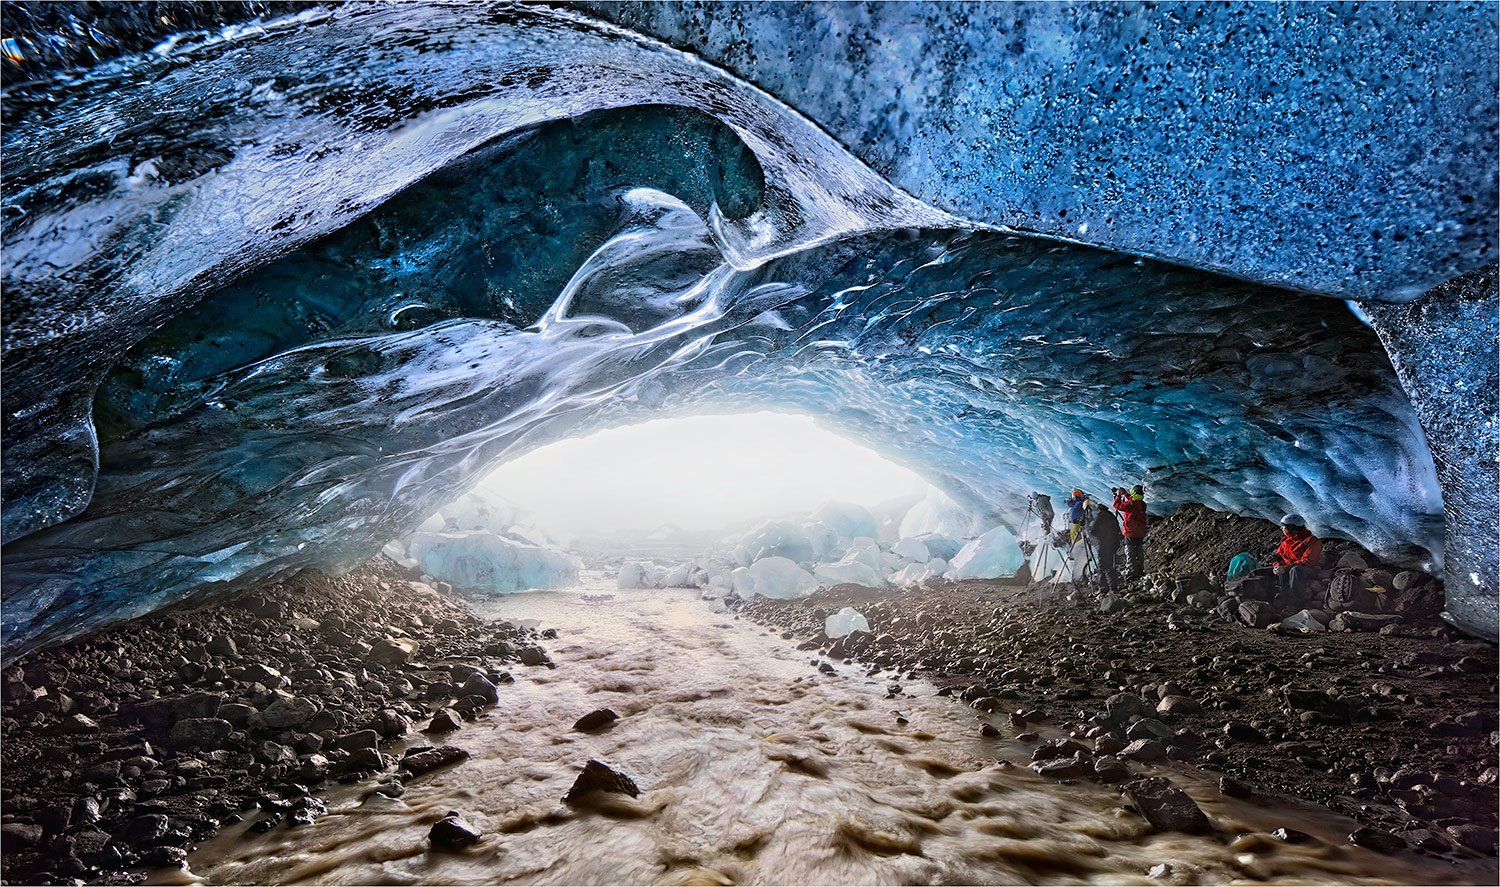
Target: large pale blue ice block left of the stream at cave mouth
484,562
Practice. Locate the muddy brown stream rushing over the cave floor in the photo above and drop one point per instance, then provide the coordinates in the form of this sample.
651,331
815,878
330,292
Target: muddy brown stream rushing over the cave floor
755,768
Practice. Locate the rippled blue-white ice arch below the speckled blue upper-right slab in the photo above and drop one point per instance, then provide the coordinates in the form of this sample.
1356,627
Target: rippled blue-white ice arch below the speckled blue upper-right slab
274,296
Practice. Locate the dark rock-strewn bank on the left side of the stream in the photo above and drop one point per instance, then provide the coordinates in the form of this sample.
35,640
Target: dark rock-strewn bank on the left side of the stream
125,750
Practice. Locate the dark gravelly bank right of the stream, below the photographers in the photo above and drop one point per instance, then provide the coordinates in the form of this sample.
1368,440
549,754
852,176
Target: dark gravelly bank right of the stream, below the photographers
1396,730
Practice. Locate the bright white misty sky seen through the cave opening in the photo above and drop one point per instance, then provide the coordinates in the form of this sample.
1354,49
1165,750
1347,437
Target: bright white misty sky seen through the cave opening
700,474
